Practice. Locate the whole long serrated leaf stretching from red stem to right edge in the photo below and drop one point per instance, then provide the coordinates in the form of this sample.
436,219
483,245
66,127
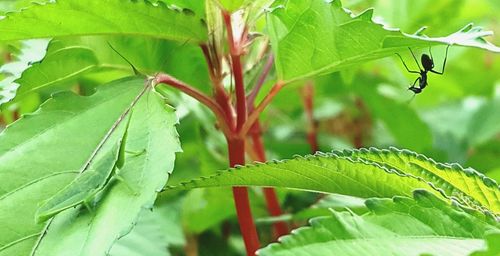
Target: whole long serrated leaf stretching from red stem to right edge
364,175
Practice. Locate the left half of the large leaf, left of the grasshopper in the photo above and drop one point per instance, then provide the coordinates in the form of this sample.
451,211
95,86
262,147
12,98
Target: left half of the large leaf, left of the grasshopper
43,152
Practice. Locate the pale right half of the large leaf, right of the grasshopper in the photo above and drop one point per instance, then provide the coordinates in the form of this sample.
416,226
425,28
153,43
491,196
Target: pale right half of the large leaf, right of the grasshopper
152,132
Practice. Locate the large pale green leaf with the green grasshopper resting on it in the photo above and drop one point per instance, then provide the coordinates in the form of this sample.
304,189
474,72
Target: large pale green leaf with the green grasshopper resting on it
68,132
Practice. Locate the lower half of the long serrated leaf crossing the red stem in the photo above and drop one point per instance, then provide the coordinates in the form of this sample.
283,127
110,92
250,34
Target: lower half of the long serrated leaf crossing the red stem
327,173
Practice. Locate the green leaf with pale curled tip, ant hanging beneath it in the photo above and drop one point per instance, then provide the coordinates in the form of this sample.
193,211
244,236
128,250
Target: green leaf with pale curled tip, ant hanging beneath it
311,37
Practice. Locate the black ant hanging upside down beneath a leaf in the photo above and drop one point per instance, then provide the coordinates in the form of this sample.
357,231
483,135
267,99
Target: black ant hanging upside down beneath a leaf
428,64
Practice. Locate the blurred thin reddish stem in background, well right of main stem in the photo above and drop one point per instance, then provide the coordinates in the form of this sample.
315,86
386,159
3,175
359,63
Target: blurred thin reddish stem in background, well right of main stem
307,97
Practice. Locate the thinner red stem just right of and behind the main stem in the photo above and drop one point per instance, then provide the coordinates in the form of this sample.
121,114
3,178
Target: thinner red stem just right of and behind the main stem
273,206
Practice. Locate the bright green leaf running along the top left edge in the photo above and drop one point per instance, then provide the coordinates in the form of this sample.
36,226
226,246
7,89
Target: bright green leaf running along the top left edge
110,17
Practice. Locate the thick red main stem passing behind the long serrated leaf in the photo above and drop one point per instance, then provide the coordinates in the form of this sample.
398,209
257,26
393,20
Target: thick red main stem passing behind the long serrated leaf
236,149
